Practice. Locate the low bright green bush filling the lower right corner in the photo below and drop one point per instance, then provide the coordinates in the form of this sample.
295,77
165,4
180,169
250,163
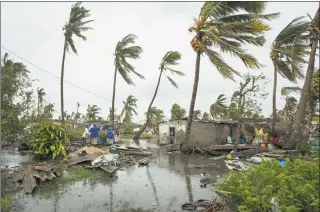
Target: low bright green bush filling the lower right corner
295,187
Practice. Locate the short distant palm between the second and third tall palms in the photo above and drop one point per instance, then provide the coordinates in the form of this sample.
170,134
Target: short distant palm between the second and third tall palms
128,111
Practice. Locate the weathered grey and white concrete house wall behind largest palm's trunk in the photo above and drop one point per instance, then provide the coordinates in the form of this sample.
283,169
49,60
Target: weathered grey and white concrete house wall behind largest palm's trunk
206,133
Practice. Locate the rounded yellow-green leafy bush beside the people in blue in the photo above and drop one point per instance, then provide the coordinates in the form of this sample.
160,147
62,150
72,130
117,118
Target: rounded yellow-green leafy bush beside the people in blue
49,141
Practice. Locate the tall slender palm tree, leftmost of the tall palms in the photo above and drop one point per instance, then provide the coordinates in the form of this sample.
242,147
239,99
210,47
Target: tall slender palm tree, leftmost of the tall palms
74,27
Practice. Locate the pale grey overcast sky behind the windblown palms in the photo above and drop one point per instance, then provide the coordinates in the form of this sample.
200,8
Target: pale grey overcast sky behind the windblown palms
34,32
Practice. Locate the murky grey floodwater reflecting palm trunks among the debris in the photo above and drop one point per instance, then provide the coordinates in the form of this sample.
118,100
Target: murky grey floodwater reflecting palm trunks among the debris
168,182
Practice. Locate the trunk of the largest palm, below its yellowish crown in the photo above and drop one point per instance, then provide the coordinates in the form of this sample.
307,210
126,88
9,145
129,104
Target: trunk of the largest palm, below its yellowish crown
193,98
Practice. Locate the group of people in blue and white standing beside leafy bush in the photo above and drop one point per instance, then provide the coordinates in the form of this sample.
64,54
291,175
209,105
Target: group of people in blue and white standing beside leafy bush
92,133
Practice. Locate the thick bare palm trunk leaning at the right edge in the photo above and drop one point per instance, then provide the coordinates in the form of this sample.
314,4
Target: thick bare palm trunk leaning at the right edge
300,113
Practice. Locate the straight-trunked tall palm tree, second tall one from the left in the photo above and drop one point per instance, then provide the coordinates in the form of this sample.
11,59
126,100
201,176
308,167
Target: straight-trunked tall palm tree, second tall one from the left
122,53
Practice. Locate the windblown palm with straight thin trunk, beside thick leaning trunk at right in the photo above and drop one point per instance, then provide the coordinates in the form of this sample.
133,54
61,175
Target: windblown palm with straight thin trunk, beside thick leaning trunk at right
287,55
